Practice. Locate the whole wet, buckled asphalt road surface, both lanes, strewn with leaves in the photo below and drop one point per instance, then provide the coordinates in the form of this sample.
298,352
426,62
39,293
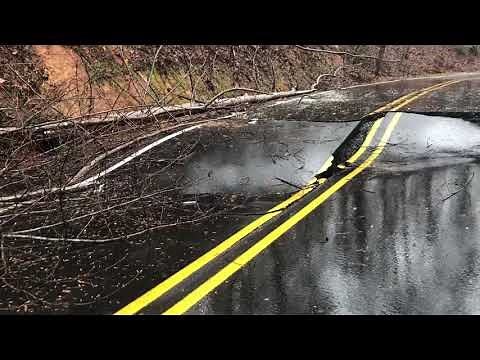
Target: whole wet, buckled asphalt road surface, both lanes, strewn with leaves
400,238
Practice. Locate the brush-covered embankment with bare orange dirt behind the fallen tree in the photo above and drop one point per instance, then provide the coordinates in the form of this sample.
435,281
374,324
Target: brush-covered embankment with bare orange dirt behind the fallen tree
45,81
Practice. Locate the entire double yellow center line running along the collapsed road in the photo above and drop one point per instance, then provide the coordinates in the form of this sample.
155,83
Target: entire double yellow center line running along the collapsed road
201,291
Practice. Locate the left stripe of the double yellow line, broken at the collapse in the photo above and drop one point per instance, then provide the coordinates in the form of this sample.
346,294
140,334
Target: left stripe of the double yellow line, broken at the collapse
156,292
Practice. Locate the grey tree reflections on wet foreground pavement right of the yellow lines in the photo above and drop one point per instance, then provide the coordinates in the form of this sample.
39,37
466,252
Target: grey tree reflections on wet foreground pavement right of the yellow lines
383,245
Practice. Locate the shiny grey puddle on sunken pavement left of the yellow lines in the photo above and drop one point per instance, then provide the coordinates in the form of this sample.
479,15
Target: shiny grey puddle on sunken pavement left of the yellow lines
290,150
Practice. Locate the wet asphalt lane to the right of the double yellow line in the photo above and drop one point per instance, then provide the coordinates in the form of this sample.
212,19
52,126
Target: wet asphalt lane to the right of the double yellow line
401,238
